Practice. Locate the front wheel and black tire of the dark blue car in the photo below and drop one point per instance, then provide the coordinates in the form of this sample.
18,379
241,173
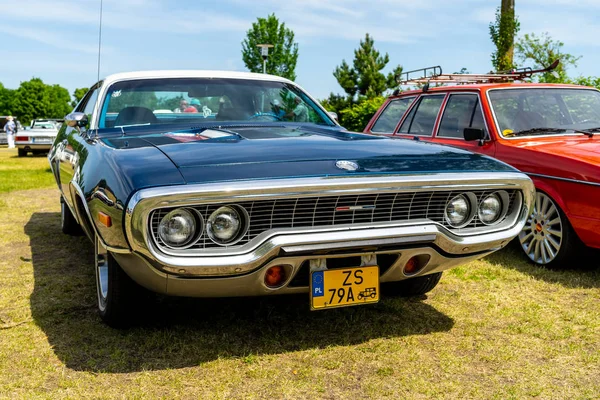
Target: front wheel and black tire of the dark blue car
118,295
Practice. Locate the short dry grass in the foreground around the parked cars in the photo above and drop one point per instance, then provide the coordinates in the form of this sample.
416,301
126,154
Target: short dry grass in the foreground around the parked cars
497,328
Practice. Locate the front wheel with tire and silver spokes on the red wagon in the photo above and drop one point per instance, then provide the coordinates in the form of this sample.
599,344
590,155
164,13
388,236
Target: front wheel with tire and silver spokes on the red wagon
548,239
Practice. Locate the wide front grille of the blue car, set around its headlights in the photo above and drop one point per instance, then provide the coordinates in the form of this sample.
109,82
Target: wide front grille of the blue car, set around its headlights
303,212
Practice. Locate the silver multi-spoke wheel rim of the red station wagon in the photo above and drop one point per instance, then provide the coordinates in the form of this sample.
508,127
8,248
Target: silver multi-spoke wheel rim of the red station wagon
541,237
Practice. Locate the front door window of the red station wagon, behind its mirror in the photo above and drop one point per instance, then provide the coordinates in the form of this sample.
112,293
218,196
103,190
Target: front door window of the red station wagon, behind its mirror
462,111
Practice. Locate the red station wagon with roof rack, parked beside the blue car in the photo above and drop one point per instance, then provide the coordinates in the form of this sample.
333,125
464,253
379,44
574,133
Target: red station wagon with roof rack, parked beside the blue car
549,131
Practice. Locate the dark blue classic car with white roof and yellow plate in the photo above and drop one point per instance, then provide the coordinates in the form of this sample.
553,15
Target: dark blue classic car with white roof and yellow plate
212,184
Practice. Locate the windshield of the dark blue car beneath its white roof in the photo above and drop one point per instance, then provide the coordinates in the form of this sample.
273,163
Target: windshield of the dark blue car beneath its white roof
206,100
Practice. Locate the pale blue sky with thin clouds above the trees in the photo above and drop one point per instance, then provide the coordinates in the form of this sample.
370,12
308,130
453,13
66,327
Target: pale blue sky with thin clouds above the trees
58,40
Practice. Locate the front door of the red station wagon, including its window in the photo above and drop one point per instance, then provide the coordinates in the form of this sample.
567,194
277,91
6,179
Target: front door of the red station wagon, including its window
463,110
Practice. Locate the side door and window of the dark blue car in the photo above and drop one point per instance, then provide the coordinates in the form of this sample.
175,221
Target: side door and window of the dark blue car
69,148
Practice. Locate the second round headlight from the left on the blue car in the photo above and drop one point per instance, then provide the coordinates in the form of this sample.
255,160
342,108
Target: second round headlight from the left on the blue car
227,225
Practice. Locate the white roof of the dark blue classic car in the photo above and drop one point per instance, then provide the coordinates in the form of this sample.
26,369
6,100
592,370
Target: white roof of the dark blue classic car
124,76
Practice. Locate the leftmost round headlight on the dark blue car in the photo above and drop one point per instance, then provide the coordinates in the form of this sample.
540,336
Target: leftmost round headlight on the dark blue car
179,227
